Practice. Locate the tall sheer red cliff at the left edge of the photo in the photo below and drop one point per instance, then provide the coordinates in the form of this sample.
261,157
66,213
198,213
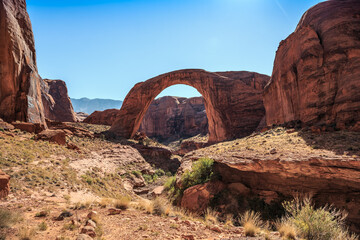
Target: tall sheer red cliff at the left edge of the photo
20,91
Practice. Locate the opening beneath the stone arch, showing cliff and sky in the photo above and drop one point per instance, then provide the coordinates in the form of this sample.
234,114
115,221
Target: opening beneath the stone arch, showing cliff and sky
173,117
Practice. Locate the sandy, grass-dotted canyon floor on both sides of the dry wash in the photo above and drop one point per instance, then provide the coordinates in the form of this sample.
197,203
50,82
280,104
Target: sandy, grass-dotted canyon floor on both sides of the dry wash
48,179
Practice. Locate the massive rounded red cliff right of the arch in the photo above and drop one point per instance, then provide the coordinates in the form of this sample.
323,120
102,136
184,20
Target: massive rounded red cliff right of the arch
316,75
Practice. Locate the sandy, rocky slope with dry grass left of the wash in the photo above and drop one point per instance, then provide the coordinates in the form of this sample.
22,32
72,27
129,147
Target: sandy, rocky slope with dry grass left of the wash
48,179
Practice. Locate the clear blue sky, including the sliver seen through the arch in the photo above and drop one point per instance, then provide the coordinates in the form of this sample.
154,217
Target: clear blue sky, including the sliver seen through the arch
101,48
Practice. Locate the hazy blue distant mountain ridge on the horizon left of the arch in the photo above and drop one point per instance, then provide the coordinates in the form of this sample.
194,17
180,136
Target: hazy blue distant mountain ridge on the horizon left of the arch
88,106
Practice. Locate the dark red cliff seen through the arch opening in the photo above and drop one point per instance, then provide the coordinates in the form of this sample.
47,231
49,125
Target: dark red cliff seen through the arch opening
171,118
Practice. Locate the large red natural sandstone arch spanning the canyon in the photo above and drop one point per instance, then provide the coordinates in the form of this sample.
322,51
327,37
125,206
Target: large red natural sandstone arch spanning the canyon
233,101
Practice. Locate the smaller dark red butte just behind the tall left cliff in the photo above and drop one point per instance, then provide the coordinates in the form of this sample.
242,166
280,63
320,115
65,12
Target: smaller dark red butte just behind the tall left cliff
57,104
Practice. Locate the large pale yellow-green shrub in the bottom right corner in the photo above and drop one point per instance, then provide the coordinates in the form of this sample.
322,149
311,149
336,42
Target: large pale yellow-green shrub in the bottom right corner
325,223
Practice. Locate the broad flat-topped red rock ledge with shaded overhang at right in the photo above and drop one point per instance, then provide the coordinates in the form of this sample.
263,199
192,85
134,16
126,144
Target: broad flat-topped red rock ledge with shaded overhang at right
279,164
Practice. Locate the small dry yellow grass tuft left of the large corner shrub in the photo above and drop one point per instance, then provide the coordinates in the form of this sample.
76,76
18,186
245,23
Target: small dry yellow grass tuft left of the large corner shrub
252,223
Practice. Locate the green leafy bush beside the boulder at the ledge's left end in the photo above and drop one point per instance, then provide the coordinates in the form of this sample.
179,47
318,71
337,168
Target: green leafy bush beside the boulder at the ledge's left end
200,173
